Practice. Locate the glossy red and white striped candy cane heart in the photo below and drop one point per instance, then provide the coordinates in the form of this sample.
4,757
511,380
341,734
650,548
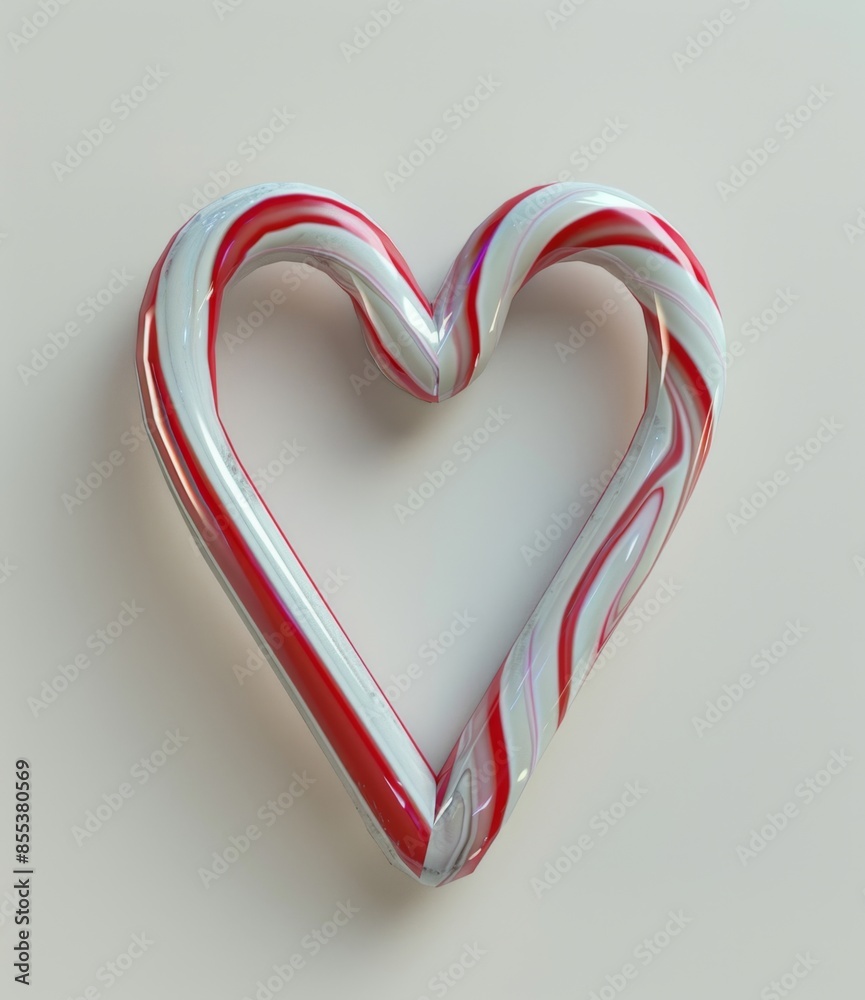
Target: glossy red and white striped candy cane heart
435,827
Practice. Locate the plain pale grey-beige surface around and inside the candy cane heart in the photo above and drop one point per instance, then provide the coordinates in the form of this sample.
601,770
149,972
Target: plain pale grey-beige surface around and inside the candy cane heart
682,124
